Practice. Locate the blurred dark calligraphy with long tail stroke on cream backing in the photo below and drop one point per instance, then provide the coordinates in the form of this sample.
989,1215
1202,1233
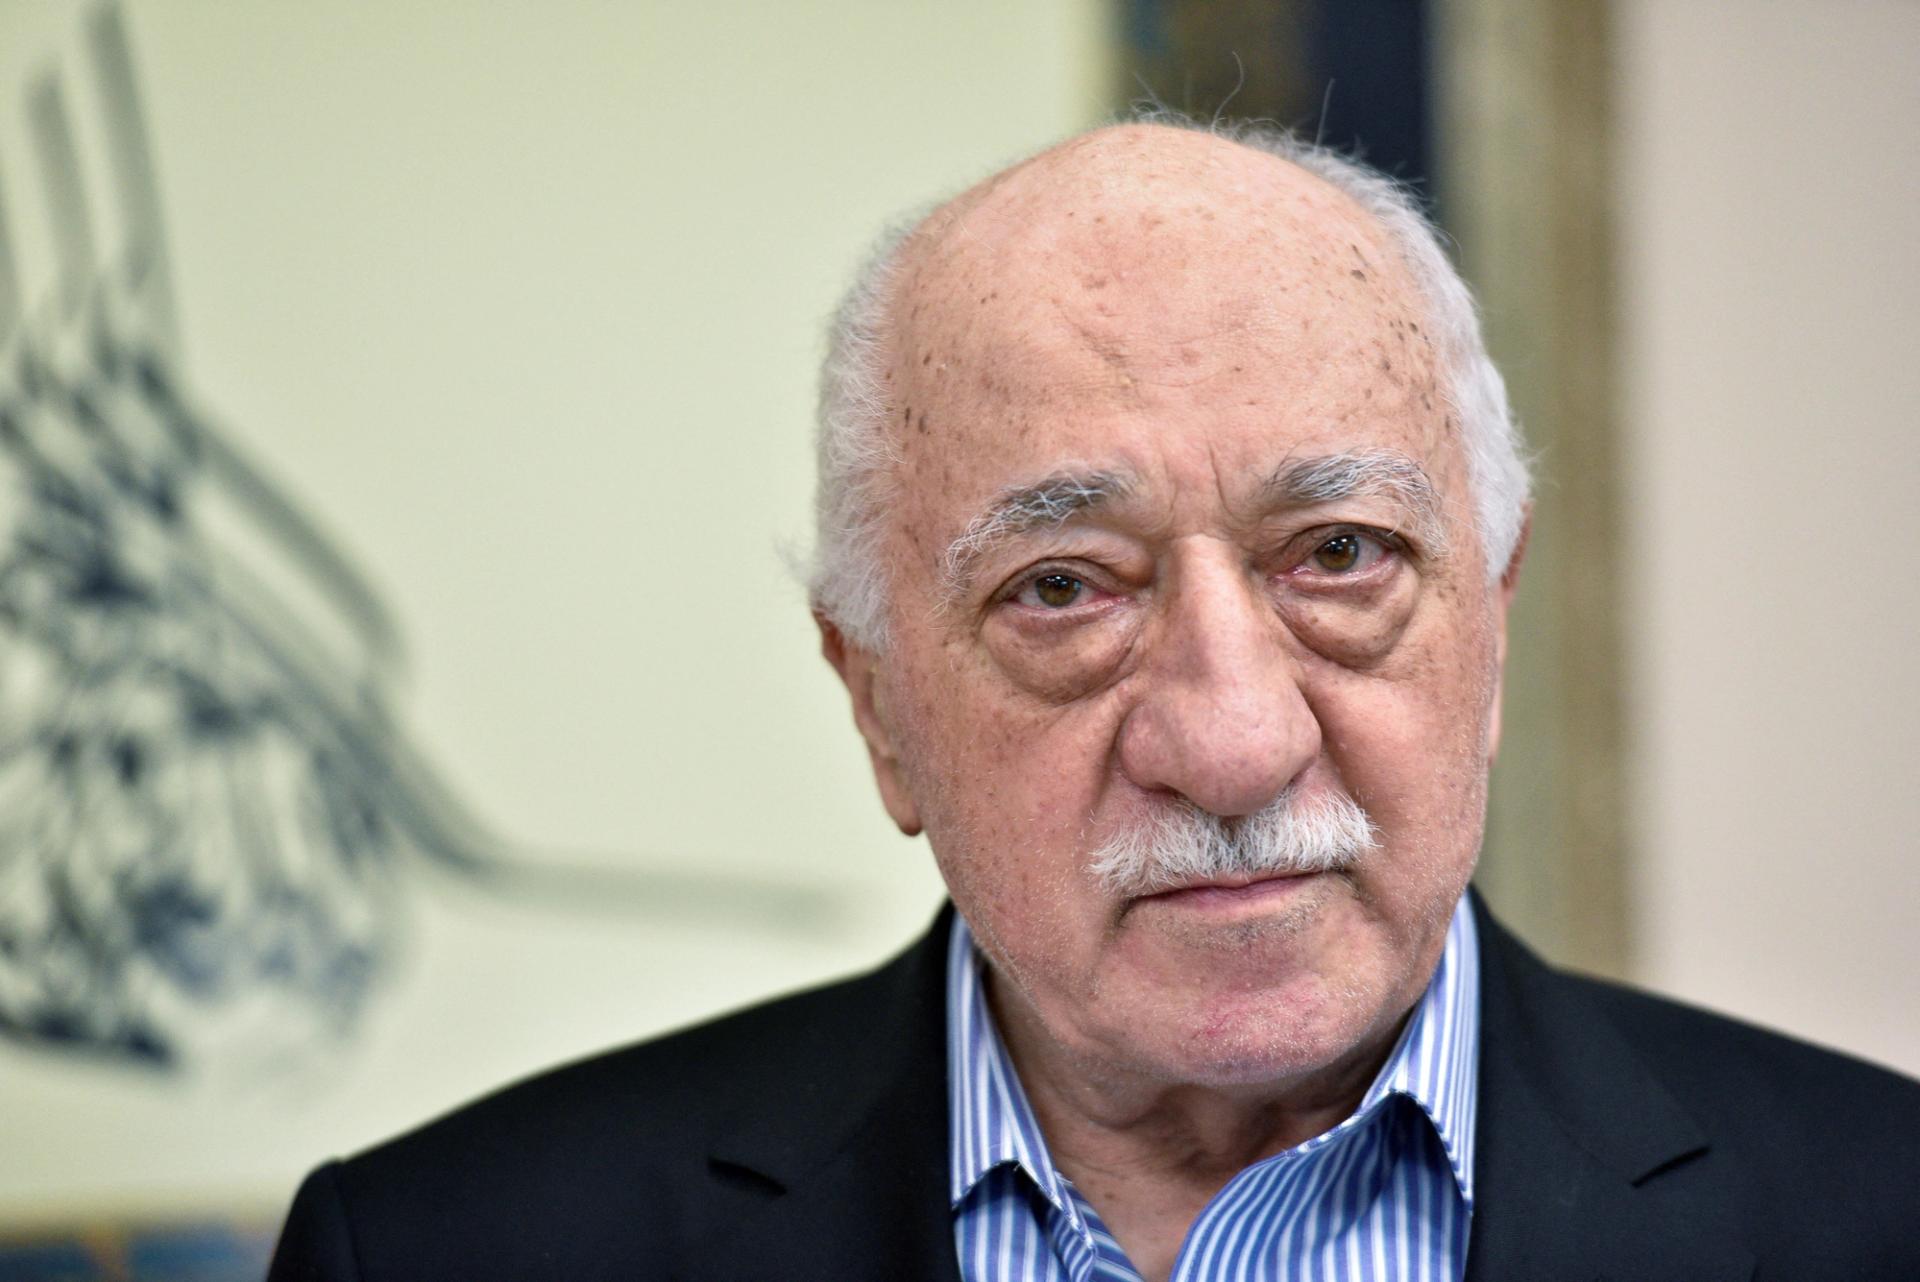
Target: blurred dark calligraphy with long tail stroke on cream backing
208,817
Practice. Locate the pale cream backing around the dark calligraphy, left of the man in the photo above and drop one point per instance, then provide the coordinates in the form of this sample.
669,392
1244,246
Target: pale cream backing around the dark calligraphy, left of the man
525,302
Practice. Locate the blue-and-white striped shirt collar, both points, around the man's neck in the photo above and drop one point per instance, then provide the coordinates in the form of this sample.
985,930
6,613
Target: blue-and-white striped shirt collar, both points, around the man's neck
1435,1064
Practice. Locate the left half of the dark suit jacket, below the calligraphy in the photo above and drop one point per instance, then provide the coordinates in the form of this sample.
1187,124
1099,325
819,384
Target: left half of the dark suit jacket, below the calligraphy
752,1147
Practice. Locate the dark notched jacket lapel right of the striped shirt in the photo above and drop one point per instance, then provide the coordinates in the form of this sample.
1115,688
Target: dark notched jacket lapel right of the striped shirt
1573,1143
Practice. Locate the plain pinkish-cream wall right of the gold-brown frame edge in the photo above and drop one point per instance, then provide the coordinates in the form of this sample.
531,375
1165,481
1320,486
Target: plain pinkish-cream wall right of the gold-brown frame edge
1771,316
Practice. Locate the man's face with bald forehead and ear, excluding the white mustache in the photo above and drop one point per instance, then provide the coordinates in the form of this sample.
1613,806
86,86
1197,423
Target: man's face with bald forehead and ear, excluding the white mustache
1128,381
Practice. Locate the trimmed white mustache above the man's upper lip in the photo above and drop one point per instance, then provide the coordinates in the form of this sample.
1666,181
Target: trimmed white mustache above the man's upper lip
1182,845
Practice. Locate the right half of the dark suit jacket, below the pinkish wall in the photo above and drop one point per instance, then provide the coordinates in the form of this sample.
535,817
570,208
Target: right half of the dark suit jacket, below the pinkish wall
1627,1135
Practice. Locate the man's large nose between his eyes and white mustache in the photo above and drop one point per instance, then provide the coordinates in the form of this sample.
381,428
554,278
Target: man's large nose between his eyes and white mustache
1220,717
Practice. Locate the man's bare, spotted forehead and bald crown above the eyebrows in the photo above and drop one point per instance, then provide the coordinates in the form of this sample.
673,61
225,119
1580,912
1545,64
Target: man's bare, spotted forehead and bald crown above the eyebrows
1149,302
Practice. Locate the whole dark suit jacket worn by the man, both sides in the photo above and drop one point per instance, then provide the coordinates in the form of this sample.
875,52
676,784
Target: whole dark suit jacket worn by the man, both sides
1620,1137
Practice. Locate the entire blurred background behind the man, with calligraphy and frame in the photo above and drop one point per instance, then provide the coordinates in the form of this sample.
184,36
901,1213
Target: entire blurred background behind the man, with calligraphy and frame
406,410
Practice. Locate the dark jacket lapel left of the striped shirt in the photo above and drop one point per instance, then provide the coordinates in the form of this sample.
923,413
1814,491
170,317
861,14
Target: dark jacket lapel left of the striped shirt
848,1179
